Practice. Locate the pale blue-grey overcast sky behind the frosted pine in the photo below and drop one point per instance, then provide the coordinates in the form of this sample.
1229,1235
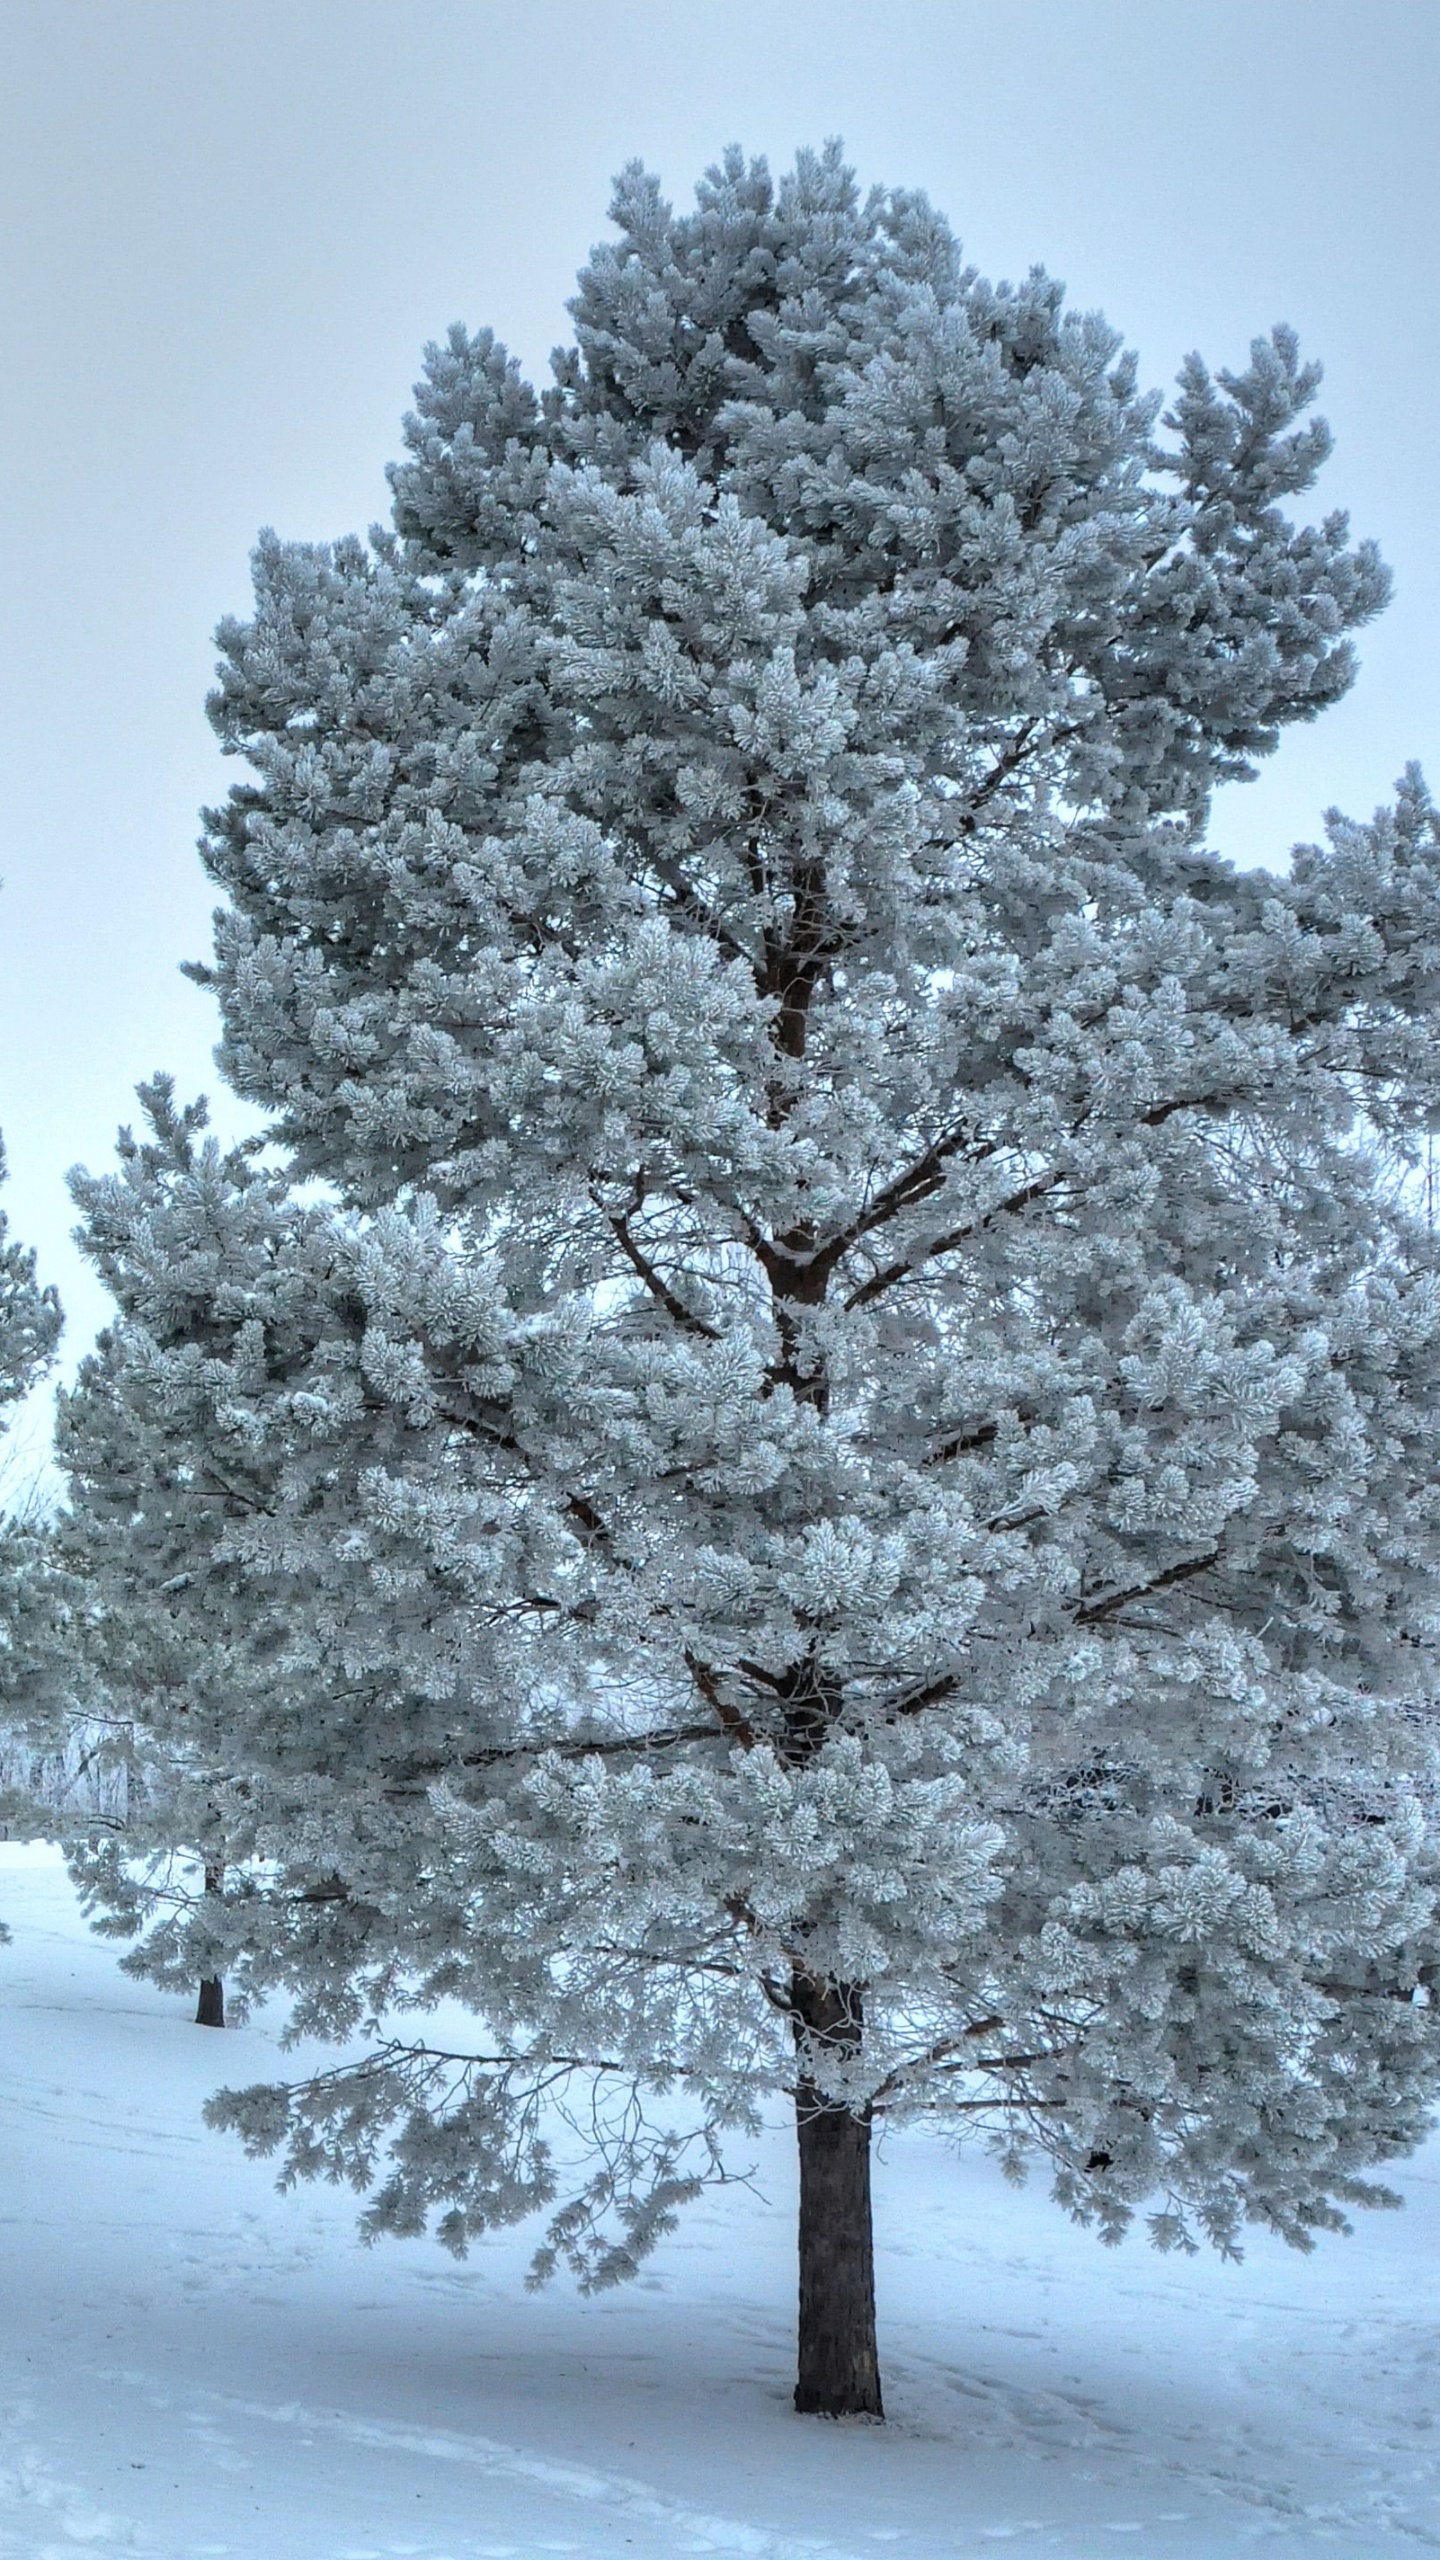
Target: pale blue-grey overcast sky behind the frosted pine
229,227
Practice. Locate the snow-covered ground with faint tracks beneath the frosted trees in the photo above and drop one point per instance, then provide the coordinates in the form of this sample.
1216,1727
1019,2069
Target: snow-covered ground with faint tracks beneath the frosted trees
199,2367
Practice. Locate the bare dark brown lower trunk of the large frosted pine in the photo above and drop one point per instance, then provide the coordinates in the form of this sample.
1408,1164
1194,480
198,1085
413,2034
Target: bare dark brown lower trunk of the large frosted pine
839,2359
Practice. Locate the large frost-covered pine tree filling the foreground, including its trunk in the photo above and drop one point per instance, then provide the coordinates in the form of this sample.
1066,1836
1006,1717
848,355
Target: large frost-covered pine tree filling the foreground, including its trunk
819,1471
